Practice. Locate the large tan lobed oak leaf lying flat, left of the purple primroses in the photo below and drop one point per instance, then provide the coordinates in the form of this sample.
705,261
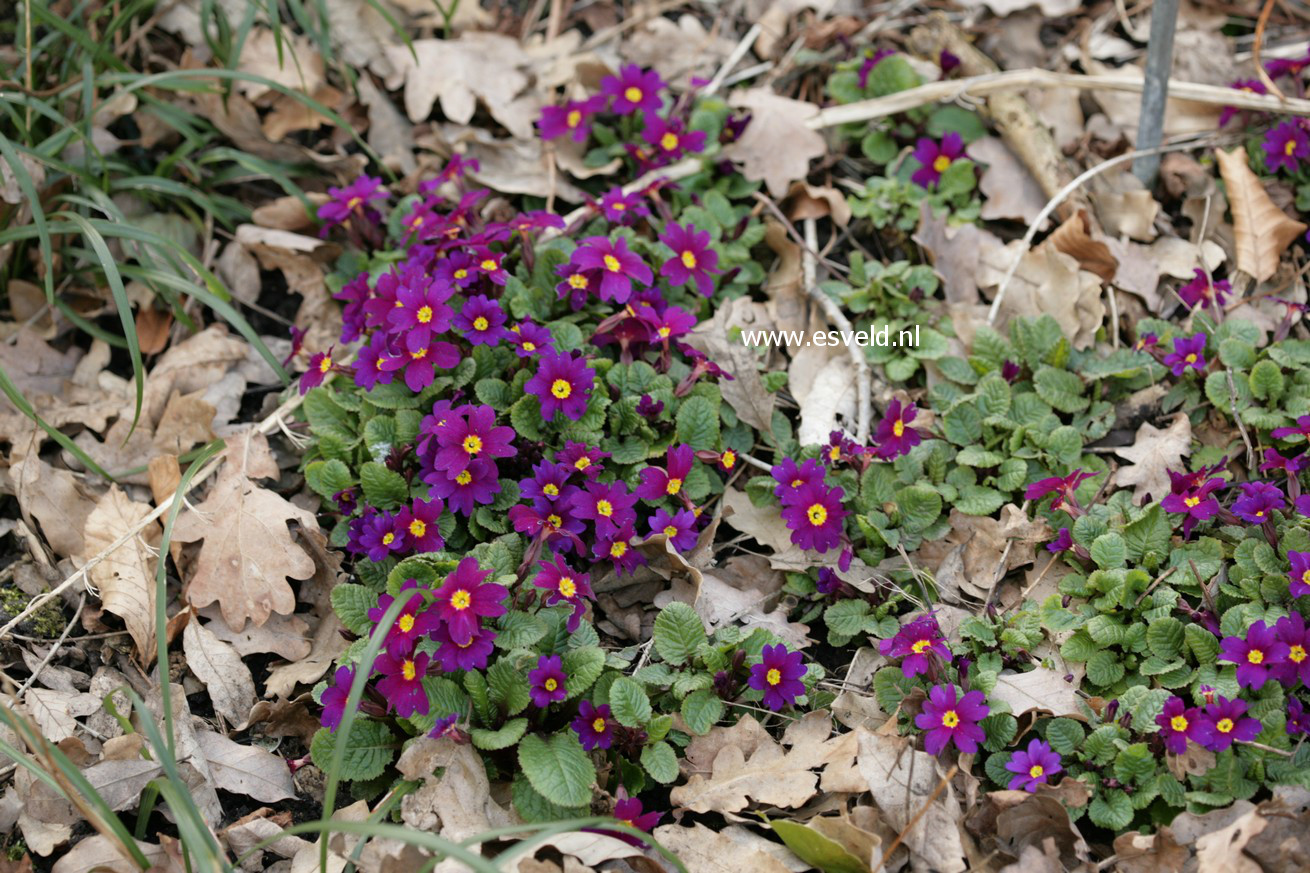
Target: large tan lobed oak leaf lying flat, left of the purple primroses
248,553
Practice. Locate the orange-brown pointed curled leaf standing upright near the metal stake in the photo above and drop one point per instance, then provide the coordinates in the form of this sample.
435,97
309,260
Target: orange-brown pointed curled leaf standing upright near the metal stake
1262,230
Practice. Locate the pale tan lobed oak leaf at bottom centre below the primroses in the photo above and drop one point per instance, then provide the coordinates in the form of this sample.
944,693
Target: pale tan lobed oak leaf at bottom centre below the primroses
746,765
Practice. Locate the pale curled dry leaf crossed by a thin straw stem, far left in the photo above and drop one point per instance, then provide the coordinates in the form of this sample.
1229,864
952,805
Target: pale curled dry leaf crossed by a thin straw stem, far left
126,576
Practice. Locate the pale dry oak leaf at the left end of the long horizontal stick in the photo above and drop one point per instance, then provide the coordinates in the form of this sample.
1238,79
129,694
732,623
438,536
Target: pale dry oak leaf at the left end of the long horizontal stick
776,146
